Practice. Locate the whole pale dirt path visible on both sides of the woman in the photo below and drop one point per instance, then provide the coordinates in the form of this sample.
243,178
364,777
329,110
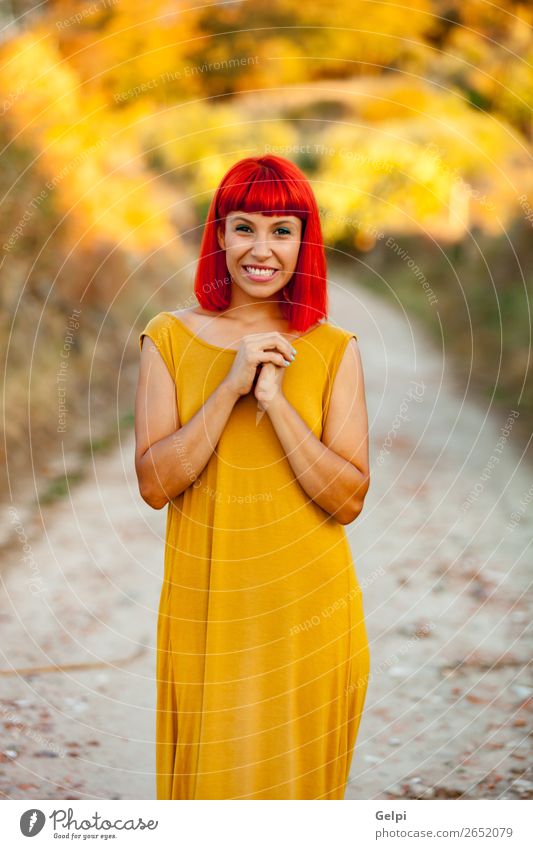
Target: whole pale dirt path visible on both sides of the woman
447,711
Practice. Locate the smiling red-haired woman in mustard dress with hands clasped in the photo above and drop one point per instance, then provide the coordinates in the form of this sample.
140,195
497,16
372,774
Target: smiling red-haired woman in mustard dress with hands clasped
251,425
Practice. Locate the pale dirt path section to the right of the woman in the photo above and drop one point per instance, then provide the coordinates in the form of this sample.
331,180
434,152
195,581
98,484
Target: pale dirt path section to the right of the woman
449,703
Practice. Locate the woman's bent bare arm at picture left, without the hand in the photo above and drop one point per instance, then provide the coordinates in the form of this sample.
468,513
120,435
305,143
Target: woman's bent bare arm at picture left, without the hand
168,458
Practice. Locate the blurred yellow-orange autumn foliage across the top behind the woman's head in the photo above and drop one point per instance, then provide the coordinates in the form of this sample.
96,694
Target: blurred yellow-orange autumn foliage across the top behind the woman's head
134,112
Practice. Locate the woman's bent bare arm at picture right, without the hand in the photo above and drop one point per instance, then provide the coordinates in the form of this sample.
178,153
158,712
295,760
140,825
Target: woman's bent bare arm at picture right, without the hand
333,471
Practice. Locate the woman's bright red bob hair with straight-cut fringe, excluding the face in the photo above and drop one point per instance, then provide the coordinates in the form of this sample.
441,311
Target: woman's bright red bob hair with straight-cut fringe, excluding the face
271,185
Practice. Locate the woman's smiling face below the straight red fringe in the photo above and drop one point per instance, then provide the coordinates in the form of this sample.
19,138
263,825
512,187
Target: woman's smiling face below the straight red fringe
261,250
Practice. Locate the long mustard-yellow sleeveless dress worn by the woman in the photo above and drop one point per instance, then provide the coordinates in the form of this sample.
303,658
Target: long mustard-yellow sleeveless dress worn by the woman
262,651
